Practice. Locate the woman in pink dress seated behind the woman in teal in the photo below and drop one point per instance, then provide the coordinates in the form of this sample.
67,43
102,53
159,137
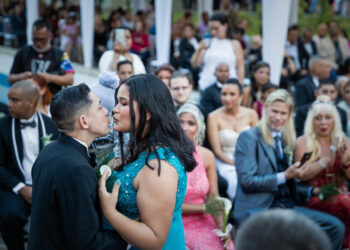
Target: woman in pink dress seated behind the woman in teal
201,183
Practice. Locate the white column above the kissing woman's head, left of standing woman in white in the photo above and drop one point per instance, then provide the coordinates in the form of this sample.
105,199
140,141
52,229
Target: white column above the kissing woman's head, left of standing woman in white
163,29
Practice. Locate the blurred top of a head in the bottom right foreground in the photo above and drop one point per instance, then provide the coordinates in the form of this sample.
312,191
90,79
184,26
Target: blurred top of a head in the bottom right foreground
285,229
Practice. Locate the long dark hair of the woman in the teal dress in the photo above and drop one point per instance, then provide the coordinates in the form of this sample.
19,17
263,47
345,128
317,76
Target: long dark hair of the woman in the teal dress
164,128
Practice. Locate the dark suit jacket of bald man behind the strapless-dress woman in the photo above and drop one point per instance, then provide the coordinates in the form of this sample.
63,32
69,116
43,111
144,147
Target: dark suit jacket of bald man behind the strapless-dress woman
210,99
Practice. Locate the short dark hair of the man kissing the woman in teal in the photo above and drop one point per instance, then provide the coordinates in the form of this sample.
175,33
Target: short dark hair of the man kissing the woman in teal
68,104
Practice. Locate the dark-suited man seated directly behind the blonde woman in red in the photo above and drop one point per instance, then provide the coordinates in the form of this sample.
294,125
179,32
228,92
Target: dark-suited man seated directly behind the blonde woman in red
326,87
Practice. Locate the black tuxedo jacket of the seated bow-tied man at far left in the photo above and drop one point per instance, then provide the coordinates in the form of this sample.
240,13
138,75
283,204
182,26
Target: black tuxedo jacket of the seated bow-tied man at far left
10,171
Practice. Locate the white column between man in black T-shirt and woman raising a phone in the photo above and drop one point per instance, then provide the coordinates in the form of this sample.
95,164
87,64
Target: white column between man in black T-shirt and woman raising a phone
87,12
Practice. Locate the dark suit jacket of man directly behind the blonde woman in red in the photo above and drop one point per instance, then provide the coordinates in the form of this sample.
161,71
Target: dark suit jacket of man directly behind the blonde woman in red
301,115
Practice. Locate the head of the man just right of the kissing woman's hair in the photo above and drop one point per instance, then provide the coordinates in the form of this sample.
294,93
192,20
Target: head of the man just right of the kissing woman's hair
181,88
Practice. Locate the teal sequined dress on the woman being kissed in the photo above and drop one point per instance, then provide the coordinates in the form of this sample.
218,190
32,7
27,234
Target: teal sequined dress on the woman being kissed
127,204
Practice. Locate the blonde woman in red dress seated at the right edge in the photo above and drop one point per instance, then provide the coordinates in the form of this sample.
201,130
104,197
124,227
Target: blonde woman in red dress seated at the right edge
329,161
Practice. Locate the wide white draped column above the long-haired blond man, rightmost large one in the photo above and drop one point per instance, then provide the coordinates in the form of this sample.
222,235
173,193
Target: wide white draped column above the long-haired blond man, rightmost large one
275,24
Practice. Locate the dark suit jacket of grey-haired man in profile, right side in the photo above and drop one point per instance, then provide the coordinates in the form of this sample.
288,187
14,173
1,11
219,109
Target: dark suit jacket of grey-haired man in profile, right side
304,91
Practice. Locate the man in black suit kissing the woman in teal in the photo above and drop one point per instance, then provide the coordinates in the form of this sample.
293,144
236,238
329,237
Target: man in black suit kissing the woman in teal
65,210
